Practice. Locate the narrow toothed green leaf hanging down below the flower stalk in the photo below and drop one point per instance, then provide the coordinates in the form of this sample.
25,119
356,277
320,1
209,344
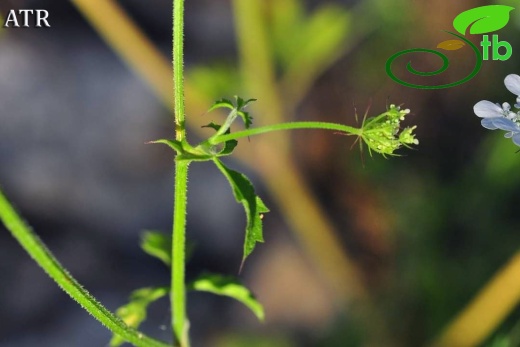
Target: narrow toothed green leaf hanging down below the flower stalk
244,193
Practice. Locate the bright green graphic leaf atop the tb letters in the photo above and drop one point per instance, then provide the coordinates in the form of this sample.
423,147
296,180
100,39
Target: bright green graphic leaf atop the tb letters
485,19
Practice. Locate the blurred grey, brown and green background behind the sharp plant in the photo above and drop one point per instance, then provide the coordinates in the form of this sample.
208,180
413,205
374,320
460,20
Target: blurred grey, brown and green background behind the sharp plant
384,253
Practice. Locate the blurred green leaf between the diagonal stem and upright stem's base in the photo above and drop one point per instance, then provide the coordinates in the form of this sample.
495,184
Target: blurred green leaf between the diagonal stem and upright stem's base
134,313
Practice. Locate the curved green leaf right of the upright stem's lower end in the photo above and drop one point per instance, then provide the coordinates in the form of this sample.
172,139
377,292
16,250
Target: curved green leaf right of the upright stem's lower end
228,286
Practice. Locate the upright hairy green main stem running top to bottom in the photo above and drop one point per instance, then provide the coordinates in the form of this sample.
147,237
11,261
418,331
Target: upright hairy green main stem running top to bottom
178,288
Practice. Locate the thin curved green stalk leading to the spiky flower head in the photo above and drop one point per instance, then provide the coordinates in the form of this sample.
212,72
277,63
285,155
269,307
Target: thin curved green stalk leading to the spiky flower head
285,126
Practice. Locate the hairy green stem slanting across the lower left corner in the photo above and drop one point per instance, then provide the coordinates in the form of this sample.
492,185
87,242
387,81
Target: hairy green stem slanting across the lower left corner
41,254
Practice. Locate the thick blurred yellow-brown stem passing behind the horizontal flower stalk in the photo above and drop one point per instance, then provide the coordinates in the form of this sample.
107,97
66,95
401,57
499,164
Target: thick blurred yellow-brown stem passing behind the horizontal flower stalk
274,162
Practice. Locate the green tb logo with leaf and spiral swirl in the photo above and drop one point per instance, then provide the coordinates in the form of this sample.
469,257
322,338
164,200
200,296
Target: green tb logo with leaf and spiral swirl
480,21
